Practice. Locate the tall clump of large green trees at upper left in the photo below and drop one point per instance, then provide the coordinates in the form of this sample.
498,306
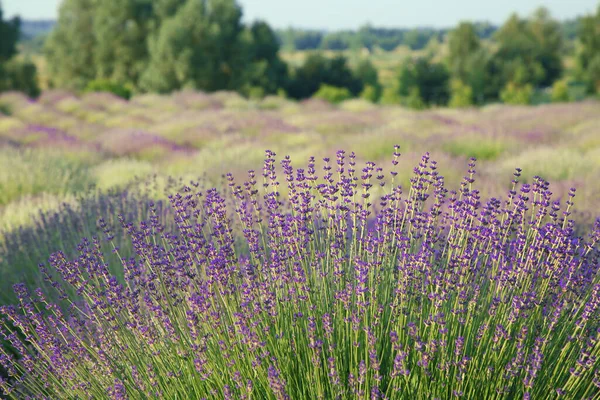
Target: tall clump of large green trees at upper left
162,46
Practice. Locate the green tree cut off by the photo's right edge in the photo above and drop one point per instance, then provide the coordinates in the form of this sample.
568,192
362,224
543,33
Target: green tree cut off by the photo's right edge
588,59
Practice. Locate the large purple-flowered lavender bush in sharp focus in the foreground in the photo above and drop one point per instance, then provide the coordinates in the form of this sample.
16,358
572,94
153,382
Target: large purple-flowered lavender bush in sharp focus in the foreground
344,287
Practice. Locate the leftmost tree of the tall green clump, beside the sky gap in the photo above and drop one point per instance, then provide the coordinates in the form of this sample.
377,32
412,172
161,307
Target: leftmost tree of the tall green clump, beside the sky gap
70,46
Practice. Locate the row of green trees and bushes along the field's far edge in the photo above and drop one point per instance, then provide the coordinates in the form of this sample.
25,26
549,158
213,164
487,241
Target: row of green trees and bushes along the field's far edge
136,46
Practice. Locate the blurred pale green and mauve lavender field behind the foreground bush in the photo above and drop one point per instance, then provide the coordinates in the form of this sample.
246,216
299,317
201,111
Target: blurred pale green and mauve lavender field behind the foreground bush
60,144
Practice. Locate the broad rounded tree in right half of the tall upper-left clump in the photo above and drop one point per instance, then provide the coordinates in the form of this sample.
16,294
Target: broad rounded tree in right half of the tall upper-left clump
198,47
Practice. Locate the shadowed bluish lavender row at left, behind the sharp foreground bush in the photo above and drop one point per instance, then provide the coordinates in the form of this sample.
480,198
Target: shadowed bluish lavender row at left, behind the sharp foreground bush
22,248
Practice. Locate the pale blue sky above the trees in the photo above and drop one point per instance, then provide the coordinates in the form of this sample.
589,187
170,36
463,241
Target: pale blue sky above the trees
351,14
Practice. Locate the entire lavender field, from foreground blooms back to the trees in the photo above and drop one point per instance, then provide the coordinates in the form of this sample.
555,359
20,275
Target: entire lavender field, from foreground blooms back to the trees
69,165
